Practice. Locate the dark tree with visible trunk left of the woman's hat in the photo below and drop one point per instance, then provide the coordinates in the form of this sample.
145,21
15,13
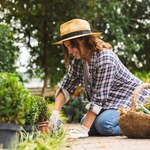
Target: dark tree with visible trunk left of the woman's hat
39,21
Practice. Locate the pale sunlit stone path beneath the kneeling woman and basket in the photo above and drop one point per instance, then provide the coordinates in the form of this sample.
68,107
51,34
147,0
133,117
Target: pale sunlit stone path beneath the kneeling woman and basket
106,143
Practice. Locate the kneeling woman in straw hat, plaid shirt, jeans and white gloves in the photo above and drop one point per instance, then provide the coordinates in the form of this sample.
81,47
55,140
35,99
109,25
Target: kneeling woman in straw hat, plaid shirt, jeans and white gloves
111,83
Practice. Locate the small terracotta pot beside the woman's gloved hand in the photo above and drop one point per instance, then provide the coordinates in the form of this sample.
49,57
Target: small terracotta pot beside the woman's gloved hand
43,127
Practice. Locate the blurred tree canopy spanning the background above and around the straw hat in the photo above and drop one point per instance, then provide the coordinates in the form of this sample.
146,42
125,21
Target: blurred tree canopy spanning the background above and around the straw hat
123,23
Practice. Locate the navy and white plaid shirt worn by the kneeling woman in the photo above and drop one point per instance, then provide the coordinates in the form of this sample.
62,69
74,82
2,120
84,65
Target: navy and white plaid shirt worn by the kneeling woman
112,83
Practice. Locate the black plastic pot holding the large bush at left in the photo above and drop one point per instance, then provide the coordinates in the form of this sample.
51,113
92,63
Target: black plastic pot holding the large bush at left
9,135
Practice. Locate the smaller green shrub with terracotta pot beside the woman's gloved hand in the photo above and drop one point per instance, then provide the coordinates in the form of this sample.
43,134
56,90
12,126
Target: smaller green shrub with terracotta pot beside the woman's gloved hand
38,115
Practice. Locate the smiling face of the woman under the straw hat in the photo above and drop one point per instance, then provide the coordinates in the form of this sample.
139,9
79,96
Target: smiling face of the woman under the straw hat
72,50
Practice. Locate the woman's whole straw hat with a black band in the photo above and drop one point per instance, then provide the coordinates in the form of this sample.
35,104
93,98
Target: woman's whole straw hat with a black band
75,28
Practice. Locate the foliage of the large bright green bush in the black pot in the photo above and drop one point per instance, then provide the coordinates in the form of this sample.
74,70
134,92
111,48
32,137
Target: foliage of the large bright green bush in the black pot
14,99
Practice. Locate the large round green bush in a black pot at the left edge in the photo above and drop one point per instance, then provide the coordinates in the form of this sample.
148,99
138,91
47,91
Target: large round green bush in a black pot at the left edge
14,102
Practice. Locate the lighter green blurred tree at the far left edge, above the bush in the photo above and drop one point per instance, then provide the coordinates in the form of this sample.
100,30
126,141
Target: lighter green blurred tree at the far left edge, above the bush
8,52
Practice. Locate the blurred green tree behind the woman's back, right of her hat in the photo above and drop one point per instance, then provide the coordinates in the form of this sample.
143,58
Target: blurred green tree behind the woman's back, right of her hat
126,25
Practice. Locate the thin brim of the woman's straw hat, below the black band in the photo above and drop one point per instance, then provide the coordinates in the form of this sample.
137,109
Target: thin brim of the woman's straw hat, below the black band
73,37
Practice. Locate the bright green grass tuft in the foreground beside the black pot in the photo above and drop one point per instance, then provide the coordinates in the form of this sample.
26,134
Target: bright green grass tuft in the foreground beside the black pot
41,141
